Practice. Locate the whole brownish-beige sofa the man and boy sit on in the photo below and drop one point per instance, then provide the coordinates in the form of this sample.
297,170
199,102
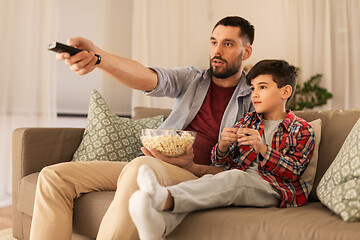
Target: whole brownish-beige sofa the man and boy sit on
35,148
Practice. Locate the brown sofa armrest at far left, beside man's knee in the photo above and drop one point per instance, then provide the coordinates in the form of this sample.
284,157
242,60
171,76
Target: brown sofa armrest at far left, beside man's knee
35,148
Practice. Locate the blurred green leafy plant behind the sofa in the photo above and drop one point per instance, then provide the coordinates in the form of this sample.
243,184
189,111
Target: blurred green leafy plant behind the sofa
309,95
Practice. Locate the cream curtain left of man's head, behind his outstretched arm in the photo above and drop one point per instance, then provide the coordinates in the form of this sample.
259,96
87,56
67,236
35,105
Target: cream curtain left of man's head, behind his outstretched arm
160,38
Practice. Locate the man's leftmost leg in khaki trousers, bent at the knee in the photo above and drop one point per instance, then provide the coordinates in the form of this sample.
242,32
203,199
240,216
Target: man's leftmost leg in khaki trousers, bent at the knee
58,185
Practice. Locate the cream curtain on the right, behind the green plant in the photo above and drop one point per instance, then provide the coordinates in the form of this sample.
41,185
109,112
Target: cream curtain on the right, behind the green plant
324,35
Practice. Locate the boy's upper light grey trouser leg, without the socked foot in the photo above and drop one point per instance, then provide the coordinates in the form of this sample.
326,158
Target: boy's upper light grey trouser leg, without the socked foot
234,187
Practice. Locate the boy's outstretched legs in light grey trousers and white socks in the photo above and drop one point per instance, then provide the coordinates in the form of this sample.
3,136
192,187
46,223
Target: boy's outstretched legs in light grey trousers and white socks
233,187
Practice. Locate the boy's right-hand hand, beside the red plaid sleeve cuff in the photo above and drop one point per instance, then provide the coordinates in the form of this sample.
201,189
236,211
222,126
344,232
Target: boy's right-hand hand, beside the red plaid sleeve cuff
249,136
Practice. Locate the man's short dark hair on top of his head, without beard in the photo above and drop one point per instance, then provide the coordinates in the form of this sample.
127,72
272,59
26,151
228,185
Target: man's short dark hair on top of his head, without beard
246,29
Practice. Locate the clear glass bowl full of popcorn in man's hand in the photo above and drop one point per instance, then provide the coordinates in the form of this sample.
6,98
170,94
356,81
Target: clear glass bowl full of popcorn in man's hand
170,143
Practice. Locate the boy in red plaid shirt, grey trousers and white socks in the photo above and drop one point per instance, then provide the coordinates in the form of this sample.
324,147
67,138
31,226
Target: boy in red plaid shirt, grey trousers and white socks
264,156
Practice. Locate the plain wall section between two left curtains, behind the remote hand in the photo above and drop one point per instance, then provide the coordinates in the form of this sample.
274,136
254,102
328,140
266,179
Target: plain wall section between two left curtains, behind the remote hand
108,25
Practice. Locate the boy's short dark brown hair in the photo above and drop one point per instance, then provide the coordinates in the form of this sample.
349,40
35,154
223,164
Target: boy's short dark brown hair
281,71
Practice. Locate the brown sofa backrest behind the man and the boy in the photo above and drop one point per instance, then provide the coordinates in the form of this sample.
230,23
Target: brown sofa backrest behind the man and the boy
336,125
